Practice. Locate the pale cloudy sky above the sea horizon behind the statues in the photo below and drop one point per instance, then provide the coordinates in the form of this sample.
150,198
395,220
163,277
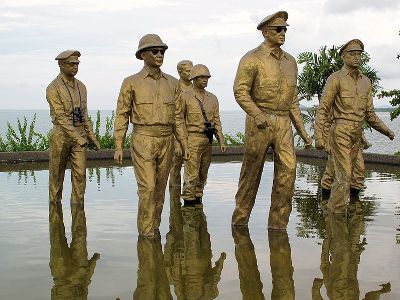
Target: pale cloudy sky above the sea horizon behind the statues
214,33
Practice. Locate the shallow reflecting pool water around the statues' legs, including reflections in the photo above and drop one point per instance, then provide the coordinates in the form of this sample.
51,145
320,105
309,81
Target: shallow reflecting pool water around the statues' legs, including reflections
195,254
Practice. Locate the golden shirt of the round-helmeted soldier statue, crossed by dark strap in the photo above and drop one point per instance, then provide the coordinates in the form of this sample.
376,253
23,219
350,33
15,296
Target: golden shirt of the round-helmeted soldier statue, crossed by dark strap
189,112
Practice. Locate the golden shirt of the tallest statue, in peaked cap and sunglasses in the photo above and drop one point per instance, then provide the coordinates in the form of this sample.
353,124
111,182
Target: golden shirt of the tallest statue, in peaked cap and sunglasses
266,82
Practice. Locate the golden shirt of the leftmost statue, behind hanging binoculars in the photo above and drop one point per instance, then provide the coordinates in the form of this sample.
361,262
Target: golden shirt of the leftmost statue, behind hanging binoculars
62,98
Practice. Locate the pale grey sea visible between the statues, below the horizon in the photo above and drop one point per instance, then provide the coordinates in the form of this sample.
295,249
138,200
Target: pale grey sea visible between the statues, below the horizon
233,121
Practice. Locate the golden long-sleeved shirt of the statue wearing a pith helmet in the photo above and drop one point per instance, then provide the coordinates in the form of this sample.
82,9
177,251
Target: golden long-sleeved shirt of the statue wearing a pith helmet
145,100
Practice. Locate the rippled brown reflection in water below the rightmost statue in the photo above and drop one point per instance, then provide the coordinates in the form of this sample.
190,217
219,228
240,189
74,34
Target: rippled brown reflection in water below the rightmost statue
340,256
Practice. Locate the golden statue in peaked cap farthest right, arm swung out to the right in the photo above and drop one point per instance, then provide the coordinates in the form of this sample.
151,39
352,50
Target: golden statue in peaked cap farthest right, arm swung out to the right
348,93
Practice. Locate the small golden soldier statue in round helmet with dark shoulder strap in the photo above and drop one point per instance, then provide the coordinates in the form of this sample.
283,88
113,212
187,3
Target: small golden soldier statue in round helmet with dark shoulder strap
199,113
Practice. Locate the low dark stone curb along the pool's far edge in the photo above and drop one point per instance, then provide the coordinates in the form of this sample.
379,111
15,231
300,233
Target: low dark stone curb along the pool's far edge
43,156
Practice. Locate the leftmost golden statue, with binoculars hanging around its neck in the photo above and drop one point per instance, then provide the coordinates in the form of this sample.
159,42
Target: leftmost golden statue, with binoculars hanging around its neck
72,129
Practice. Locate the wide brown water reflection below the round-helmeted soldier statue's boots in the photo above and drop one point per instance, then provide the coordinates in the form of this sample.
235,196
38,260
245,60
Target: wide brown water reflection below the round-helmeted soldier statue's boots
188,255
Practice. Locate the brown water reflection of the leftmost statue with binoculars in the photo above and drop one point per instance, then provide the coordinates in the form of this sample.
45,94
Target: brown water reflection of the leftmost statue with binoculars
69,265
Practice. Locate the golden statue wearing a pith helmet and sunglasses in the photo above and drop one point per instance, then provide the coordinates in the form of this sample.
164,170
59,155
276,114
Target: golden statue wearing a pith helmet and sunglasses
147,100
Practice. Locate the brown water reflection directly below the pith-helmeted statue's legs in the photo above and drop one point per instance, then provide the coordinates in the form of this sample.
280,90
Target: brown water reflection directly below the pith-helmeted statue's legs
152,282
